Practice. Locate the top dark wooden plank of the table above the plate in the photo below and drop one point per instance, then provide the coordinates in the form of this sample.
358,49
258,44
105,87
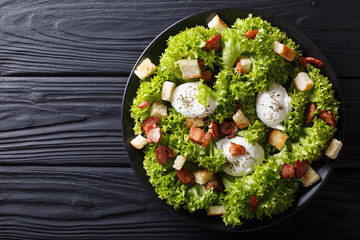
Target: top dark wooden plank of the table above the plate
82,37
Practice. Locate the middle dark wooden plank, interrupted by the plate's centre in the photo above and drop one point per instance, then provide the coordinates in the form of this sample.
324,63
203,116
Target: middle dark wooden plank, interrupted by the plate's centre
77,121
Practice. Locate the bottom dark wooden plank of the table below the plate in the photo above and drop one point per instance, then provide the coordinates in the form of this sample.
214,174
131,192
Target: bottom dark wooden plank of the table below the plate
109,203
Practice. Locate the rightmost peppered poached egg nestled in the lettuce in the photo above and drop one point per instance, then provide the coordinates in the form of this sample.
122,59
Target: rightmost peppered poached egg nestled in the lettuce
273,106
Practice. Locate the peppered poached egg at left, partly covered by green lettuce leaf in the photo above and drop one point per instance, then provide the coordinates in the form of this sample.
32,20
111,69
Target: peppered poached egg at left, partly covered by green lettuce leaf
183,100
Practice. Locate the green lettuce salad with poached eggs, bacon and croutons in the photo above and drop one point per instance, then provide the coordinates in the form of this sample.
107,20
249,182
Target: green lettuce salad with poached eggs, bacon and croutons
232,118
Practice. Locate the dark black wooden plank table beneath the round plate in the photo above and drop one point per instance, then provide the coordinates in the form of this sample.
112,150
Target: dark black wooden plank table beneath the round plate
64,171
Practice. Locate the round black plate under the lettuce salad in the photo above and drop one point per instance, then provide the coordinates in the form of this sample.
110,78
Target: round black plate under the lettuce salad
323,167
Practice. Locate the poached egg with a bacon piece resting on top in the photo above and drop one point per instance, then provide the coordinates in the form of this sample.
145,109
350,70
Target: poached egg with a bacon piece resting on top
241,165
